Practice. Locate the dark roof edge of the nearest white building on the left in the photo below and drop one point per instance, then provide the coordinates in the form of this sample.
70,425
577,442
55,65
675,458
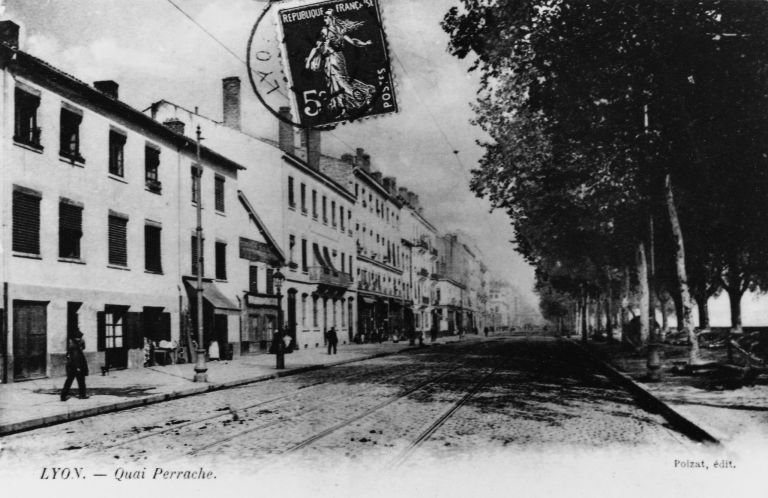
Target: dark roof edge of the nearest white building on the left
30,66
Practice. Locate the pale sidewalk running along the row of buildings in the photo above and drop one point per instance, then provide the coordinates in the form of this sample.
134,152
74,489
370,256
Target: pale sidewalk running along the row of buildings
31,404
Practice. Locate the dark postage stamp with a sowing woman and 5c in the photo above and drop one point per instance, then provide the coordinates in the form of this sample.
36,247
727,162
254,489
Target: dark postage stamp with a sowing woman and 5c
336,58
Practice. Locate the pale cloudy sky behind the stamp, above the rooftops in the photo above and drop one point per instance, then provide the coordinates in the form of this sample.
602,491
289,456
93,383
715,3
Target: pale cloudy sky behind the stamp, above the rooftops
154,52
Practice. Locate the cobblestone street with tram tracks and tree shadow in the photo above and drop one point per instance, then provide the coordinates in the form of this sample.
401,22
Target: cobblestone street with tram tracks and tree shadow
445,401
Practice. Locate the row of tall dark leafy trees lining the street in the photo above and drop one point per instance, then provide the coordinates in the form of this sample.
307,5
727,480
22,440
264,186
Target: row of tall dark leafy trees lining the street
629,146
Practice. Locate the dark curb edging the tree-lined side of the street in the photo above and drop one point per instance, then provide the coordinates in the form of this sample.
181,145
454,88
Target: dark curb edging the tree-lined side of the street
649,401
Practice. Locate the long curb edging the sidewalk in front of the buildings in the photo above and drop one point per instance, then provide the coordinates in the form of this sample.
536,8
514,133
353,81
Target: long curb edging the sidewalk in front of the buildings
152,399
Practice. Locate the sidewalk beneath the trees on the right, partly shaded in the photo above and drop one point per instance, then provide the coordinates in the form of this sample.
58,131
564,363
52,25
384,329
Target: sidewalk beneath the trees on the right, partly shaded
714,400
